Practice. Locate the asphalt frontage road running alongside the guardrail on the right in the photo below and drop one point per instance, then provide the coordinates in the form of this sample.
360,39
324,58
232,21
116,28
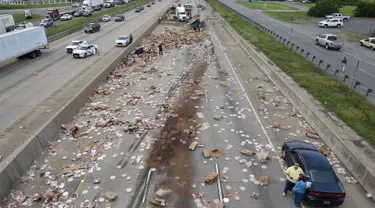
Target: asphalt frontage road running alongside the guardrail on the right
366,73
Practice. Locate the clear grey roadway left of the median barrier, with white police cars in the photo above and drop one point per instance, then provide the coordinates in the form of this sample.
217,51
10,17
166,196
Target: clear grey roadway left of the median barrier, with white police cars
50,70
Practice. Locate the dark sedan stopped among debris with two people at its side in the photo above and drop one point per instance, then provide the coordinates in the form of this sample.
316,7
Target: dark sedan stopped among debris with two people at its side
326,188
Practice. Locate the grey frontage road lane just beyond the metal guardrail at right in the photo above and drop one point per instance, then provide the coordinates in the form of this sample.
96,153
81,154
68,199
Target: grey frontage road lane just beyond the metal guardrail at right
333,57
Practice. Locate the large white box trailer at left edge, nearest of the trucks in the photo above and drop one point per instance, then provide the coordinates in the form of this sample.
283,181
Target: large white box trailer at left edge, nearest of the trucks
24,43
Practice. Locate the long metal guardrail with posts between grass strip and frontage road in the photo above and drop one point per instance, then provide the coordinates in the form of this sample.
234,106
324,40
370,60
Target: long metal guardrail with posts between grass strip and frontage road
349,80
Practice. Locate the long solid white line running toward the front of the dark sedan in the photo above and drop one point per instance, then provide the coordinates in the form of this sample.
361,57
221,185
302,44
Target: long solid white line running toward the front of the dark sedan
247,97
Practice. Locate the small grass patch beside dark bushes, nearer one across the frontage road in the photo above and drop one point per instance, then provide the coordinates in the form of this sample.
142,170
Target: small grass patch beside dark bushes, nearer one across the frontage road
298,17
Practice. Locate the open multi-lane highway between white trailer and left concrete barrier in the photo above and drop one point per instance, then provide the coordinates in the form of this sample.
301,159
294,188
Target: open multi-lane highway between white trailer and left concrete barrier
20,89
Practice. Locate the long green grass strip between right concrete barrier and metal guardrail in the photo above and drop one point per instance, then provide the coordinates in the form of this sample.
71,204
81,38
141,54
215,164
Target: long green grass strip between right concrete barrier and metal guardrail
336,97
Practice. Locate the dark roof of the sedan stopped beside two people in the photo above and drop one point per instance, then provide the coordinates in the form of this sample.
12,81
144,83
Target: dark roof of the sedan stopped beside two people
314,160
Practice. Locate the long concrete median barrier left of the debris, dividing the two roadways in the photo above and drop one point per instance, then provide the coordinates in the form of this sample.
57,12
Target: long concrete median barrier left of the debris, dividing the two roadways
13,167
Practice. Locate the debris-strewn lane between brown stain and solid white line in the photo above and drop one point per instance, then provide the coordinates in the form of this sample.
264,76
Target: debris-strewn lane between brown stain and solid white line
240,129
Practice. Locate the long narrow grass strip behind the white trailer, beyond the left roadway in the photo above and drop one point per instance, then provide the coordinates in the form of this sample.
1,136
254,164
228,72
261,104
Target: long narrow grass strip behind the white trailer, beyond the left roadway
97,15
